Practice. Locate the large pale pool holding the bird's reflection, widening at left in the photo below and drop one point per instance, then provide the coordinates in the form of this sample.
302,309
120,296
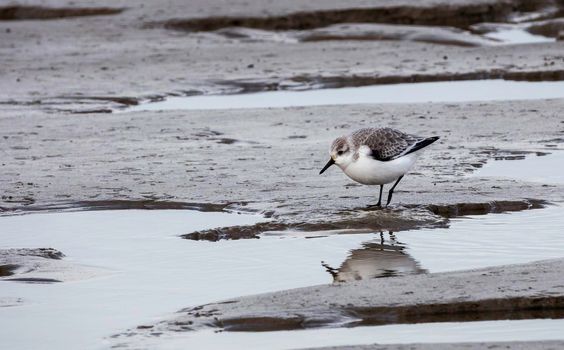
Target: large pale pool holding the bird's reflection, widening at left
151,272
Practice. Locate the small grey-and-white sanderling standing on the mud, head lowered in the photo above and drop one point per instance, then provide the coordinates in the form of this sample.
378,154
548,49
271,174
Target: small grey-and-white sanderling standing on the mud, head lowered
373,156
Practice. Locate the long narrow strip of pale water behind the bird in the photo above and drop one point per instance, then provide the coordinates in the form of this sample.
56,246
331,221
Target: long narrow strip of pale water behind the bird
454,91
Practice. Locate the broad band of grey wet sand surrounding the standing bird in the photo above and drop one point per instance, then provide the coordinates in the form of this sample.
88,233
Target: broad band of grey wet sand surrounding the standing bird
184,157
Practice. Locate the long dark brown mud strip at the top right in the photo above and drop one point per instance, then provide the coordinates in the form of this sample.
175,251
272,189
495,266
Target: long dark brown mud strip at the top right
460,15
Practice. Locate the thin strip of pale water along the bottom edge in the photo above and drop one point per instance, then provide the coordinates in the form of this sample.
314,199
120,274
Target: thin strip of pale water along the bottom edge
448,332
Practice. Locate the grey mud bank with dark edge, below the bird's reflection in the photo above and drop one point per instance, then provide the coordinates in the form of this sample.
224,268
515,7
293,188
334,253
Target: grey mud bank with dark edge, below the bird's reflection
509,292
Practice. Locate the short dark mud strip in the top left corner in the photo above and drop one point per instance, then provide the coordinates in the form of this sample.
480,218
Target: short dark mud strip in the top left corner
19,13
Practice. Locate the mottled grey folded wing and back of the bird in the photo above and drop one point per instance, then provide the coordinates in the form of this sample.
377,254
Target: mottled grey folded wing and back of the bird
385,143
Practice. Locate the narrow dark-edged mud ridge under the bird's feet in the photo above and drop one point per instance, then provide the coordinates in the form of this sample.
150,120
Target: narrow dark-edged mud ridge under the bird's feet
369,220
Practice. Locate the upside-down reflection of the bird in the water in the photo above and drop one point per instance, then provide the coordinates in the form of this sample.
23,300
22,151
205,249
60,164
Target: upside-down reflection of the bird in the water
376,260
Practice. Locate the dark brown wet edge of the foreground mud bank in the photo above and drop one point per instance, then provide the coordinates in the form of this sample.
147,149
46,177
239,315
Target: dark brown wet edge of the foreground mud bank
486,310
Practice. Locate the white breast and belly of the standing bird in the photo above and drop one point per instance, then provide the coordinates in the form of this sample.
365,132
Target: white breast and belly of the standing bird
369,171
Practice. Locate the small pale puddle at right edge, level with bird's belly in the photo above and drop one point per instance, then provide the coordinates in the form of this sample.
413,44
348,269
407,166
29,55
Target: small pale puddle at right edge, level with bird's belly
546,168
